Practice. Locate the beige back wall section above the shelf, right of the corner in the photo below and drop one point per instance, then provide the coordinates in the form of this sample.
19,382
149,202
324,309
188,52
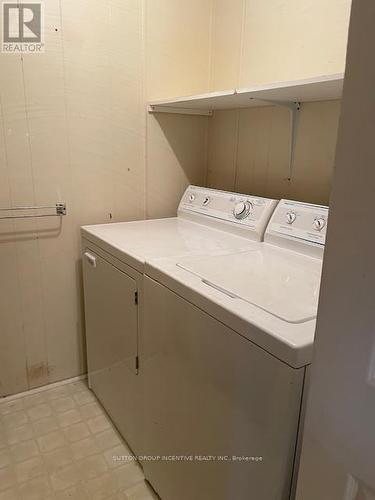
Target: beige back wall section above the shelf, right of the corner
257,41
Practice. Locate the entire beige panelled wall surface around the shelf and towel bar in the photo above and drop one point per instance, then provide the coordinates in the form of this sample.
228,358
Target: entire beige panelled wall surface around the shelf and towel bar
73,127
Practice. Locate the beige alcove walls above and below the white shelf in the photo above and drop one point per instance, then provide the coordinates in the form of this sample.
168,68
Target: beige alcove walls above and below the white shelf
238,43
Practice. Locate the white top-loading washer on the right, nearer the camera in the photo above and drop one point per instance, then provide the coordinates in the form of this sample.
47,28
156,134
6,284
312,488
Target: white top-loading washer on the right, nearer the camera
227,339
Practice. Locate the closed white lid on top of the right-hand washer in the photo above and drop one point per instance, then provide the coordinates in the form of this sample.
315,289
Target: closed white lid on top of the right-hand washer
283,283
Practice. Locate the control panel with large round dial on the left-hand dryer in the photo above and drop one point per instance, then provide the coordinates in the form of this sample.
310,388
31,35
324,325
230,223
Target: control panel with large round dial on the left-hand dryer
241,211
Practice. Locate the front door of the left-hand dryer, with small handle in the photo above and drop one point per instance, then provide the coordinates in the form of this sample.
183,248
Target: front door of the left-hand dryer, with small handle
111,335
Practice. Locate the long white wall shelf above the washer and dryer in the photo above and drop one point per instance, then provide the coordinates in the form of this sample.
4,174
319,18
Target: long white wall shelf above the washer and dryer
321,88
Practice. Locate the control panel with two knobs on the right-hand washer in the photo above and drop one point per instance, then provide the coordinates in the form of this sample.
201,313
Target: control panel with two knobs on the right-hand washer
303,222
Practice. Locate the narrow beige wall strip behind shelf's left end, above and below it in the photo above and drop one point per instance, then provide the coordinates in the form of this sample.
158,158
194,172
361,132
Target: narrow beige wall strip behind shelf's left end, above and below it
177,63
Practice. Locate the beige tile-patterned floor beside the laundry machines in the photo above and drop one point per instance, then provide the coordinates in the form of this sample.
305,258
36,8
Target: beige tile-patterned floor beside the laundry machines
60,444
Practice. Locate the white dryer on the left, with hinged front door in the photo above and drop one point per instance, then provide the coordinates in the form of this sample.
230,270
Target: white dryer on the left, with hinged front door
209,222
